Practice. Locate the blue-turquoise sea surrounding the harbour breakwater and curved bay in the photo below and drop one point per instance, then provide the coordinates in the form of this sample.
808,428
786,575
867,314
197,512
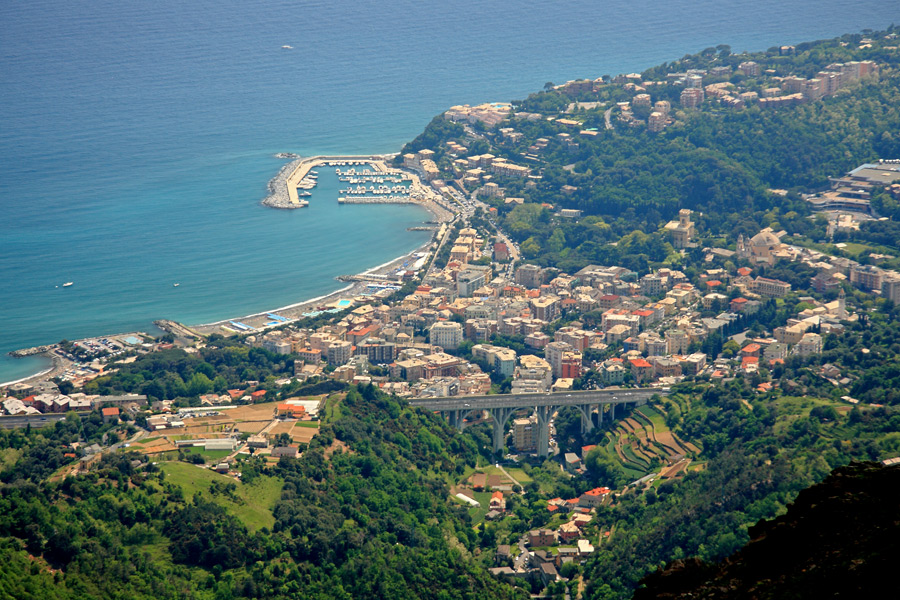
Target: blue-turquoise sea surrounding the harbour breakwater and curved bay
137,138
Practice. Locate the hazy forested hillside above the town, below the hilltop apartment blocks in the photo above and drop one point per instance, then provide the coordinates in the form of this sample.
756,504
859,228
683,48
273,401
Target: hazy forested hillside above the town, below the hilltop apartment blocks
719,161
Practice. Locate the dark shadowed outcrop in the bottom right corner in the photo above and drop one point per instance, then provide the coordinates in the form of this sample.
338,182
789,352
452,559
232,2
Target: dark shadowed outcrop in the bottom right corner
840,539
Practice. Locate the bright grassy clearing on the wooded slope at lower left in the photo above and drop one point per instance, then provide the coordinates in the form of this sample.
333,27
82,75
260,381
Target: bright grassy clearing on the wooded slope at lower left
255,500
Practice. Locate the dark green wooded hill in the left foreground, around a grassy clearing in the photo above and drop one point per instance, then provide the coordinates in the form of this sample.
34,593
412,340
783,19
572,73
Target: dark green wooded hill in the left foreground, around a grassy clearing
366,517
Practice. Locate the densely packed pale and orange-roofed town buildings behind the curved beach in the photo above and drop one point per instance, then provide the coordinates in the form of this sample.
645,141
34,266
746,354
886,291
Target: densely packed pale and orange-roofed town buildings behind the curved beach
477,321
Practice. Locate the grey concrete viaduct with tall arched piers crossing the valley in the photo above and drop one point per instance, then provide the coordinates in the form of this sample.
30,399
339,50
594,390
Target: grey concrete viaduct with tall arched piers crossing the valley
502,406
